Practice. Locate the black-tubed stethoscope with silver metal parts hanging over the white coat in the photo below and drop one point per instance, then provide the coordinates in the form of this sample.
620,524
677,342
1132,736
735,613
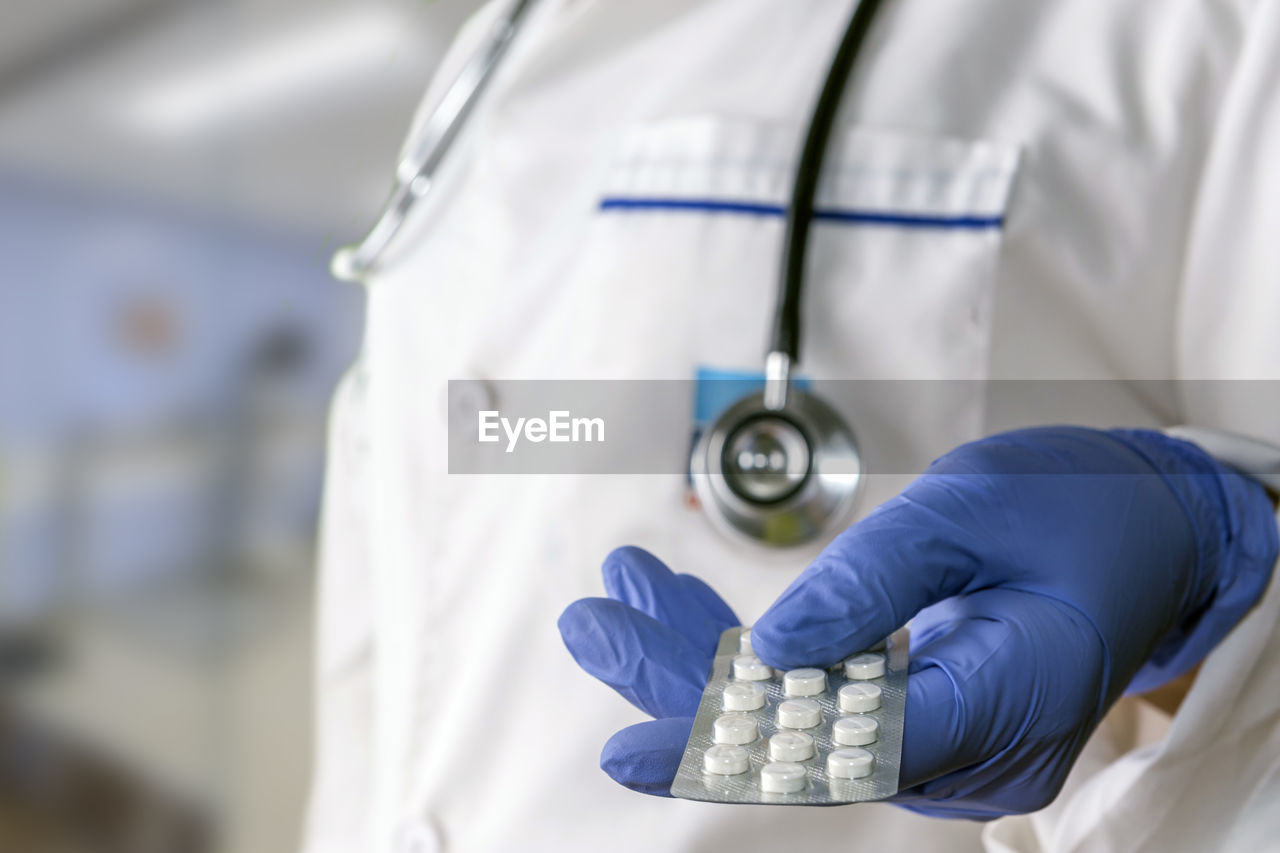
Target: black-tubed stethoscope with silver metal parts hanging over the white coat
780,467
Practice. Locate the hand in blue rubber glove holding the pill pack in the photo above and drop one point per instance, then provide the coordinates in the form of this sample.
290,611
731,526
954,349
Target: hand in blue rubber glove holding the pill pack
1055,568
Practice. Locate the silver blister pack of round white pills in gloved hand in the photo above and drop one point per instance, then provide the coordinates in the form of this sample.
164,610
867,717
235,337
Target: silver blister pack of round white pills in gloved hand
808,737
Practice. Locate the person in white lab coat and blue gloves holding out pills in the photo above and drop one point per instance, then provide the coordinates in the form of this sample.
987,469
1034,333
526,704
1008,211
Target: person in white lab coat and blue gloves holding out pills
1119,159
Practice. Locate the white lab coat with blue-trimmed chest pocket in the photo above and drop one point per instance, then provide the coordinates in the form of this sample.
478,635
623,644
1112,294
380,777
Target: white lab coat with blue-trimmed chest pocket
1131,148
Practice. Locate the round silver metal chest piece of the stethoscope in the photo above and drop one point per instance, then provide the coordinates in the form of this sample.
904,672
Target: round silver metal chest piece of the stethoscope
780,477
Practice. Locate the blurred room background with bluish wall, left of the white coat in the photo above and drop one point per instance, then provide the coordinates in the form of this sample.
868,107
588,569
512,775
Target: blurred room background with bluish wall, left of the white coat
173,179
